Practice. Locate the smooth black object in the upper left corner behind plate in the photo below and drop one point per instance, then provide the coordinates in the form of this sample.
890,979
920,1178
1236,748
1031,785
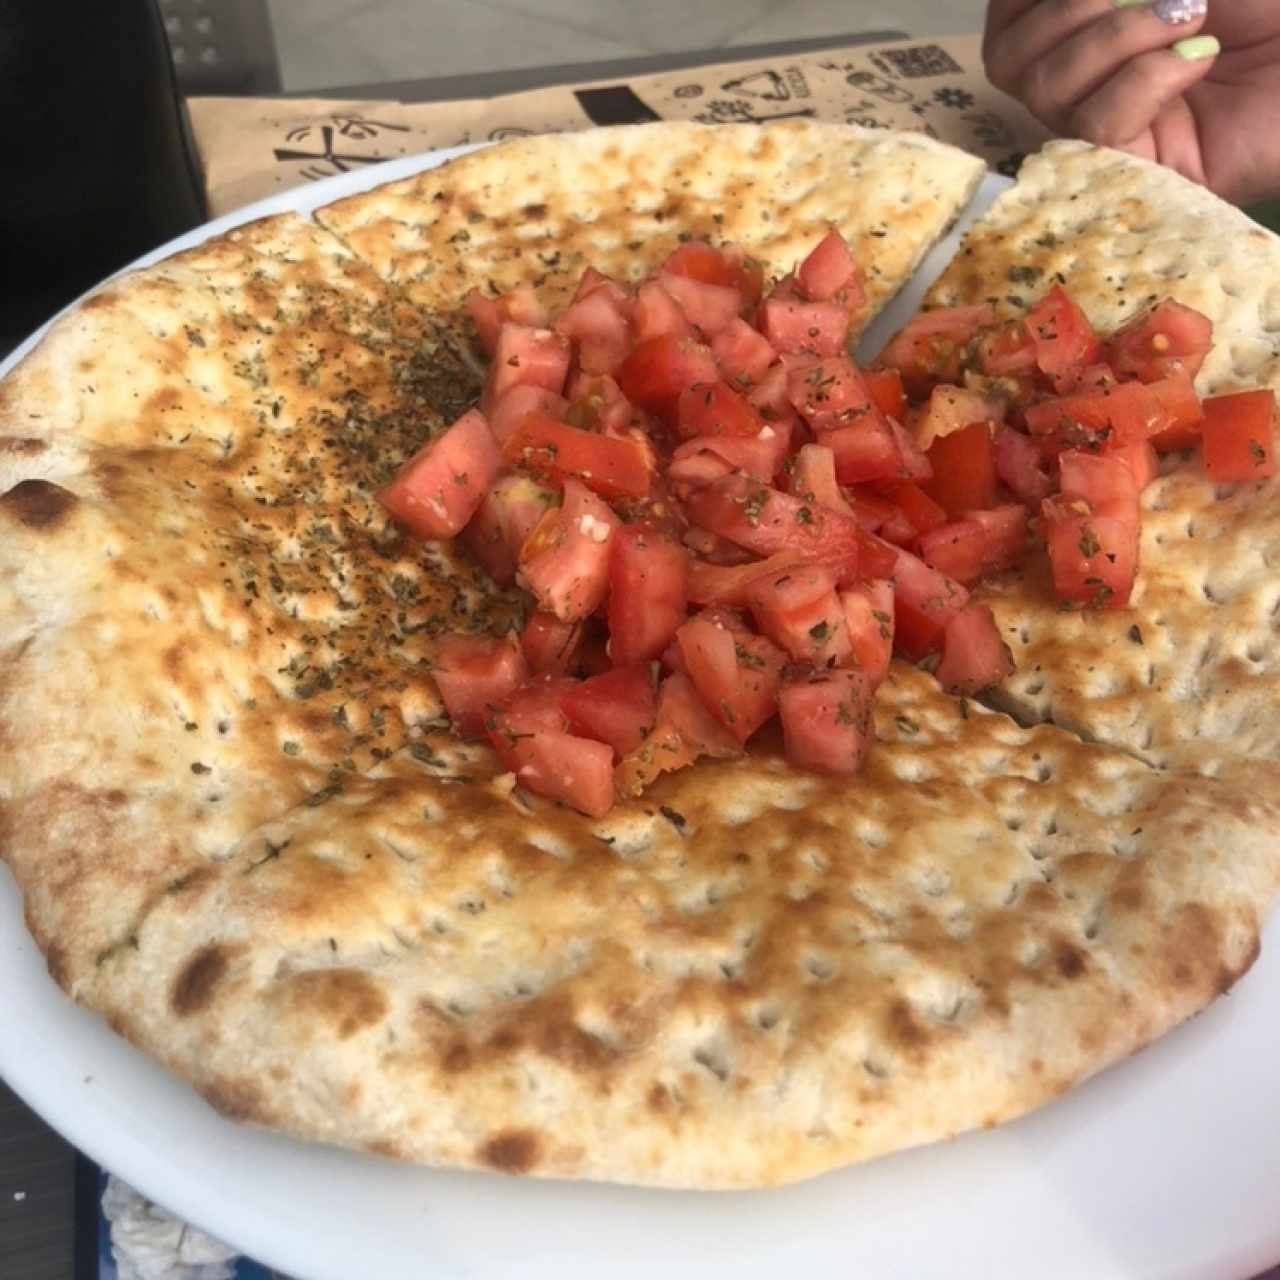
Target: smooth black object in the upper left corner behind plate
97,164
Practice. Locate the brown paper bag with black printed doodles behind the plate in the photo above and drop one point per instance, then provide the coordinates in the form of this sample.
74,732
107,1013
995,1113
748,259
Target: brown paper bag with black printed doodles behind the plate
253,148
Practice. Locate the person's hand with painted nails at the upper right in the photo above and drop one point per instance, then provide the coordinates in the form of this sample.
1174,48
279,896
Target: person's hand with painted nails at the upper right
1192,85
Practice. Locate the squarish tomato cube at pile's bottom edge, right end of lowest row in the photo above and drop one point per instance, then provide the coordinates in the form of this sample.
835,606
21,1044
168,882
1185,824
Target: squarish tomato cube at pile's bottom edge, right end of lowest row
828,721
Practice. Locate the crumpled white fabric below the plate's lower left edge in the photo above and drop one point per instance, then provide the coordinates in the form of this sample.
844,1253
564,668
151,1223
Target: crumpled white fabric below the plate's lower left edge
152,1245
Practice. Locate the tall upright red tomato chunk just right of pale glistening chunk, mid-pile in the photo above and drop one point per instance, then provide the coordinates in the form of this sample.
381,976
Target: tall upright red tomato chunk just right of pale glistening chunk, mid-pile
648,593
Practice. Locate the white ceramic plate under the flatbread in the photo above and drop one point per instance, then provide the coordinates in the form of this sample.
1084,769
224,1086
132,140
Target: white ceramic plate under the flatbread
1168,1165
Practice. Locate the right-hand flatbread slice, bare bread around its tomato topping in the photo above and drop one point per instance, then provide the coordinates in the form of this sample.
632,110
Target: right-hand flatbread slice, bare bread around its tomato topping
1188,675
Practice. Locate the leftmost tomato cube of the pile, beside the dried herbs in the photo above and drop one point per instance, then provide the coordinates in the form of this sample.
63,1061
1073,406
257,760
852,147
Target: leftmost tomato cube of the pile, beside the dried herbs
442,486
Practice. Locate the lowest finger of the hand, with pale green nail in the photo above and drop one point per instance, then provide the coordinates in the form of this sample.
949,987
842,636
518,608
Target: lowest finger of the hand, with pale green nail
1127,106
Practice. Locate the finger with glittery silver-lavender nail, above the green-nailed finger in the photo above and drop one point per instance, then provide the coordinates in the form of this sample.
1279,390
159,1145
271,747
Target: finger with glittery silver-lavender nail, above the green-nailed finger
1082,65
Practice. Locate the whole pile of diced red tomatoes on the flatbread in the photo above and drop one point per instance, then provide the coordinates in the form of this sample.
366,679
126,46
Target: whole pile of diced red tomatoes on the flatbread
721,520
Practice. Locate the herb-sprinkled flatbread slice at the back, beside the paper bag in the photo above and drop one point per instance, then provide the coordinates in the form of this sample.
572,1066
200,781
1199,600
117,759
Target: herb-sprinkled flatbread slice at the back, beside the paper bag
541,211
